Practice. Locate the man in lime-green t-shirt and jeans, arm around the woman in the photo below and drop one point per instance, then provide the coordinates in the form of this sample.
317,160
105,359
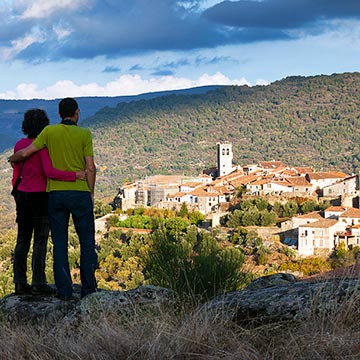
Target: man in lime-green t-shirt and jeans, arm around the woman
70,148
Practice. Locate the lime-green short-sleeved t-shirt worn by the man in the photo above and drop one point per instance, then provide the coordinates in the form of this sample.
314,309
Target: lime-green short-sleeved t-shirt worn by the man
67,145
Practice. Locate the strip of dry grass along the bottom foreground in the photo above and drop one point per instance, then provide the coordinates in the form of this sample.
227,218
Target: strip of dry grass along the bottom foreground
174,334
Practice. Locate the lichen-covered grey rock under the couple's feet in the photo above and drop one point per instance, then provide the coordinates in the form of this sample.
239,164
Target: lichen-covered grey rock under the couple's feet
35,309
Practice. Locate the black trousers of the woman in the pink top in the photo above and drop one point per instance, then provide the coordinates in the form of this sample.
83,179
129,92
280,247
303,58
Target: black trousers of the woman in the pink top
32,219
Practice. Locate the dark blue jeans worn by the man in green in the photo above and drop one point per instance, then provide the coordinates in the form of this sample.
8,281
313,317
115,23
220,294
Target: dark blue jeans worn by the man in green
80,206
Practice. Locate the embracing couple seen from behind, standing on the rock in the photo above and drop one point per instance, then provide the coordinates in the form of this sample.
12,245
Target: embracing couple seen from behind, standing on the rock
56,170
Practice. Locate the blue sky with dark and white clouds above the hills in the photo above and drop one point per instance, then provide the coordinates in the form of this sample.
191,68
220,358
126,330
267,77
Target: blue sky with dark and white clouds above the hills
57,48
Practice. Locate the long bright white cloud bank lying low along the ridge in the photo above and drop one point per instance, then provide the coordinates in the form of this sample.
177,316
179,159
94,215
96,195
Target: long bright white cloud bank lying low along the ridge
124,85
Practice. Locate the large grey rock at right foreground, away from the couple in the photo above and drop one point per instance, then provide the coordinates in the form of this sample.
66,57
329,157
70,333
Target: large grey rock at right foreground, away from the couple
282,297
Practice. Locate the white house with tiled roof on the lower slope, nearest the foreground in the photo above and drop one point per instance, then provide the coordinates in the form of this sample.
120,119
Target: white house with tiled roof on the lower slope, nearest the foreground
318,238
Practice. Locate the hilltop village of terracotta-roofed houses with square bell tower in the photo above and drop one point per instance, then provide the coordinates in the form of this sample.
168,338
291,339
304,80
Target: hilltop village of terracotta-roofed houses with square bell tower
211,193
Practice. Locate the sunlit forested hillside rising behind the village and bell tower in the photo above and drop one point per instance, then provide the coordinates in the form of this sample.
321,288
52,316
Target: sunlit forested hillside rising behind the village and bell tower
300,120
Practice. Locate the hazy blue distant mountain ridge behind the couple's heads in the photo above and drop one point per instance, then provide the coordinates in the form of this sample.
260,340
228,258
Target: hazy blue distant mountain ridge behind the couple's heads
12,111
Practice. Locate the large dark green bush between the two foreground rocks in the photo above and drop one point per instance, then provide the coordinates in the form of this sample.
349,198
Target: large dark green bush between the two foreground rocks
192,263
